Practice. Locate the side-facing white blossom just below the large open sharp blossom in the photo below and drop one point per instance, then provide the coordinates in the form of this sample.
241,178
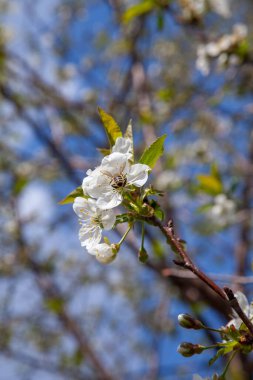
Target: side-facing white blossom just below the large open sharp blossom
93,220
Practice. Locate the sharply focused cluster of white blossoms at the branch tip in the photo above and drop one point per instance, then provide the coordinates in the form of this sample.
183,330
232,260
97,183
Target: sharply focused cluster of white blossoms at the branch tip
104,189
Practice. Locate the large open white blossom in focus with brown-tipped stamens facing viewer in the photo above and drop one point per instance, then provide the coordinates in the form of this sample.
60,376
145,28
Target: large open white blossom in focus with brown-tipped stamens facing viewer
112,178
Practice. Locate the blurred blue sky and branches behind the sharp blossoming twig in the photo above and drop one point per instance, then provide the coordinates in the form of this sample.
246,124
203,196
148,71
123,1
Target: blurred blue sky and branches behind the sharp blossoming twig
180,67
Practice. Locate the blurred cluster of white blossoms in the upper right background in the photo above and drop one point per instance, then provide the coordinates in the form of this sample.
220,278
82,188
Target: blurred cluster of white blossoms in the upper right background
222,49
